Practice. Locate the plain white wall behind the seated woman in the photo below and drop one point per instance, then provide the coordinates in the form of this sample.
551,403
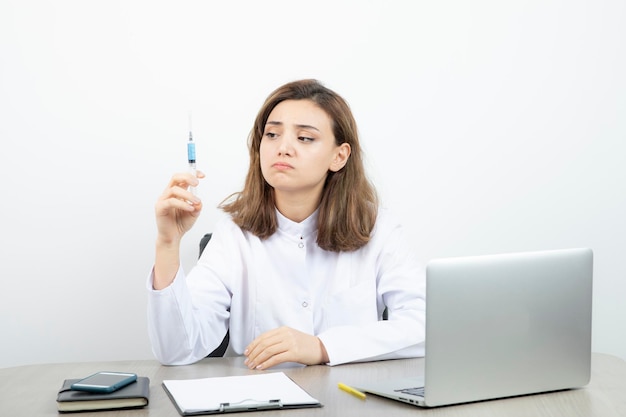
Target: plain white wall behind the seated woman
489,126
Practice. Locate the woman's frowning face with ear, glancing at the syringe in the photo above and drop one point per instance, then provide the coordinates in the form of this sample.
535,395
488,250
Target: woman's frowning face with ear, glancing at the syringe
298,148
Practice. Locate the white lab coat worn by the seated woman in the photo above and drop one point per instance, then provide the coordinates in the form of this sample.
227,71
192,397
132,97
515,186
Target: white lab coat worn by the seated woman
251,286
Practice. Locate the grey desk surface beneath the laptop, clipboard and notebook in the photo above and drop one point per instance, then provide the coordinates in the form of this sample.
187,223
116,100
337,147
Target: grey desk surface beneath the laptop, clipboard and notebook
31,390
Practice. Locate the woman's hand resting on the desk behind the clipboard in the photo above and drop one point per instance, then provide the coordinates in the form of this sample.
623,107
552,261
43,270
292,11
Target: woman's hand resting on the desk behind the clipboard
284,344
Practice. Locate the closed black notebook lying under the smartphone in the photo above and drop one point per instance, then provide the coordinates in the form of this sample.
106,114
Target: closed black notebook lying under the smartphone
134,395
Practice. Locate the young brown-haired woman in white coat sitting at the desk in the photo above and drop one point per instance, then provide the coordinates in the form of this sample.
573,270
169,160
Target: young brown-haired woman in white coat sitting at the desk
304,263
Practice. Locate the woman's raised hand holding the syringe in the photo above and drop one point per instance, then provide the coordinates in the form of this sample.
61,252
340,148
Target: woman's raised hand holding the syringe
177,209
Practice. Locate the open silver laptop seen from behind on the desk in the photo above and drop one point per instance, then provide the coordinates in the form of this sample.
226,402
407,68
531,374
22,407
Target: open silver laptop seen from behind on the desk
500,326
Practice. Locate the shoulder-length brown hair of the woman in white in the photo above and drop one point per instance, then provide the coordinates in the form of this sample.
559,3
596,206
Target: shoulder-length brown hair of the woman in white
349,203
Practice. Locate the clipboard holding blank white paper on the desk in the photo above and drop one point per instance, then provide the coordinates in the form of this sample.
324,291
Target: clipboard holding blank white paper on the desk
234,394
